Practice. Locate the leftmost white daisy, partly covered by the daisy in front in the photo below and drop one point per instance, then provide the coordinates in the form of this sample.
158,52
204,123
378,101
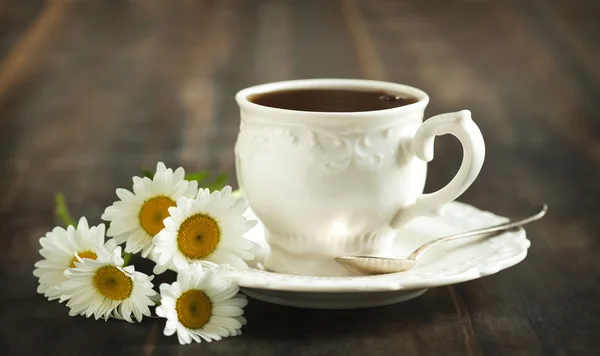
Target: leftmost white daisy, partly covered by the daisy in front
59,248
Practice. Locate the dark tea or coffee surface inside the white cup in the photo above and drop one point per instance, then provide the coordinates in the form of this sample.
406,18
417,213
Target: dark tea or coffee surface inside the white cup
331,100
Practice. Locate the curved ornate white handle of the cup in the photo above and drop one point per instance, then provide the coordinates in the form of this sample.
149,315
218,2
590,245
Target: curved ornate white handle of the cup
462,126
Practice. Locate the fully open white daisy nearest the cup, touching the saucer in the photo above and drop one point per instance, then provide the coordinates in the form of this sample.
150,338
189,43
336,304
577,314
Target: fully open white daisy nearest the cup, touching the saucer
207,230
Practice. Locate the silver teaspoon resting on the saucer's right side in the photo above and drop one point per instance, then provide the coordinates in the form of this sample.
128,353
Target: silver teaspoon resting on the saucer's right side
368,265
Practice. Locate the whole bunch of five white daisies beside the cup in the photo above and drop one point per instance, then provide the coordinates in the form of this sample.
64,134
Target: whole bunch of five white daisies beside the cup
166,218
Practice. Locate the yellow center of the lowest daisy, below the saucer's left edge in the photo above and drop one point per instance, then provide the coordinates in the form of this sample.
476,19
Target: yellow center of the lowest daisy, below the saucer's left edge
194,309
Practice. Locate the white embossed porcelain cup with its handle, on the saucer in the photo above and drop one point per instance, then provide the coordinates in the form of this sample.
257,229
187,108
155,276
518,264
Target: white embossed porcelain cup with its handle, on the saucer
327,184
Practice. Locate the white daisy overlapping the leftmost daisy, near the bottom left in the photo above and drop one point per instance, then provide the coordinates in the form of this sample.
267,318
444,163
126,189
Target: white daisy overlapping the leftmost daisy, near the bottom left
104,288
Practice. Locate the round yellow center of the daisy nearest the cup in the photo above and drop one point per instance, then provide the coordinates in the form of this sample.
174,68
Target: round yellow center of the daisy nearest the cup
198,236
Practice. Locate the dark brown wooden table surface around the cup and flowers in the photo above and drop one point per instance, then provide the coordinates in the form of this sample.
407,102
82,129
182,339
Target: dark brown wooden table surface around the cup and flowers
90,91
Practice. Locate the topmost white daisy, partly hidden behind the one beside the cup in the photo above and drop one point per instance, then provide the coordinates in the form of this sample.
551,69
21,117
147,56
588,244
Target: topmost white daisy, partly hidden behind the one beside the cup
138,216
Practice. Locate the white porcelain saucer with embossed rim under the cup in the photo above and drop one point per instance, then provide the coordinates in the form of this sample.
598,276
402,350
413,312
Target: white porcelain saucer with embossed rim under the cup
447,264
